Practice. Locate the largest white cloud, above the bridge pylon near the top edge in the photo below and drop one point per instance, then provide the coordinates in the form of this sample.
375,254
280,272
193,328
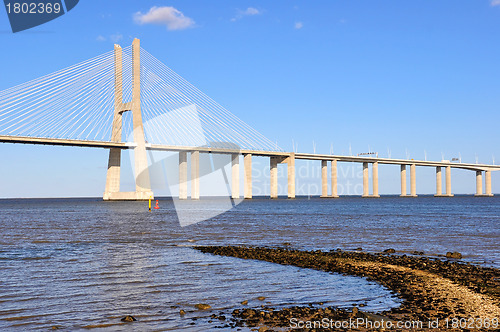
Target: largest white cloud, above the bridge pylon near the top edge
172,18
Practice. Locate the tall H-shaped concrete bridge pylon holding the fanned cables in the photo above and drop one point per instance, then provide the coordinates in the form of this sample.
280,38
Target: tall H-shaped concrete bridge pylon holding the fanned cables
142,181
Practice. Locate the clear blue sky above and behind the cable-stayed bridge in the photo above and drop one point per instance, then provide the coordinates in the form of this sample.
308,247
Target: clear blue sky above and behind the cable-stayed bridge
404,76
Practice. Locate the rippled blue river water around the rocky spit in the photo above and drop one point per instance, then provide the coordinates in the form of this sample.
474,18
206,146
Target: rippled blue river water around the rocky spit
75,262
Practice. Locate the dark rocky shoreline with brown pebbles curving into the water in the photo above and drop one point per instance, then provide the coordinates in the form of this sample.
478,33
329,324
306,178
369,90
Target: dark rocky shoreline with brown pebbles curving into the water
432,289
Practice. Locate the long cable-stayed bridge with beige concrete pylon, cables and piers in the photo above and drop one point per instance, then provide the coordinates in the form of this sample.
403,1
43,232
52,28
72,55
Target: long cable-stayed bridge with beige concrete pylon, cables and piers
127,99
